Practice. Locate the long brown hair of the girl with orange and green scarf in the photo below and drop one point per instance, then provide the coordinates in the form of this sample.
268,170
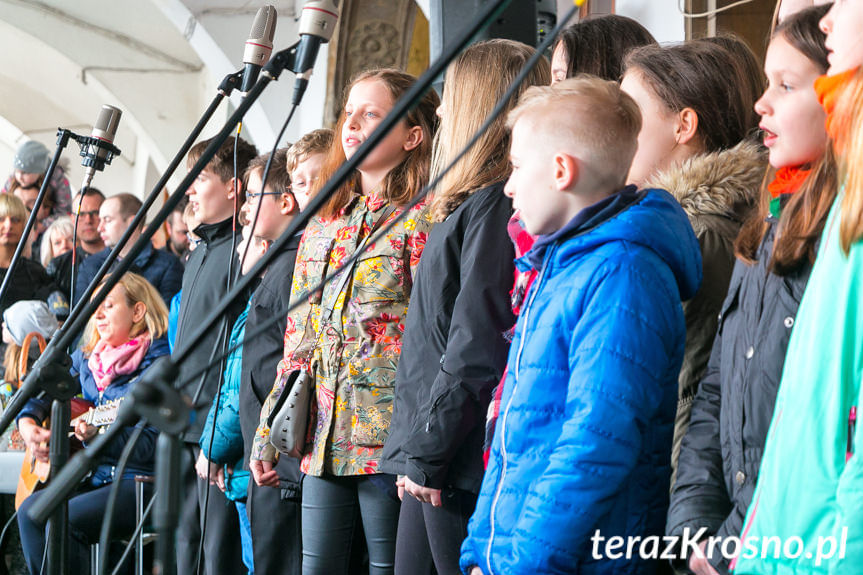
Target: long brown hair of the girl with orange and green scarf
802,219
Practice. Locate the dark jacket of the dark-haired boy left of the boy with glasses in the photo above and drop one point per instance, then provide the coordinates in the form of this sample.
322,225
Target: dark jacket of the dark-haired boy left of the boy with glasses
205,281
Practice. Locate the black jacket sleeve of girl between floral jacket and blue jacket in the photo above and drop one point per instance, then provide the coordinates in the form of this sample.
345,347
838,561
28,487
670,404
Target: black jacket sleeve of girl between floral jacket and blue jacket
476,349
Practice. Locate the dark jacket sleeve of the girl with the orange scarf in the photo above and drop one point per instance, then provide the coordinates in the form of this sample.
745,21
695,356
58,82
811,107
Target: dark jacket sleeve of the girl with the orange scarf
699,497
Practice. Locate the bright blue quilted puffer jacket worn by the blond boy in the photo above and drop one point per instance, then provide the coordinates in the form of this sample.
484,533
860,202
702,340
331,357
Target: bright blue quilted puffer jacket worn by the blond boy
583,442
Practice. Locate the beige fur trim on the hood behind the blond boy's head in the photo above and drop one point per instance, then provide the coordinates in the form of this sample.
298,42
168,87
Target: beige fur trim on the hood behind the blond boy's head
723,183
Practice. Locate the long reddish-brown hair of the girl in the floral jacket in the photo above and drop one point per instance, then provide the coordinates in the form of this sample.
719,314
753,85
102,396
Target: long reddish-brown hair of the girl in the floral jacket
403,182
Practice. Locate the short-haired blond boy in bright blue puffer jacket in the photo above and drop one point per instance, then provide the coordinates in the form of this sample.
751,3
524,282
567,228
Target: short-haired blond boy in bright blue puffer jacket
583,442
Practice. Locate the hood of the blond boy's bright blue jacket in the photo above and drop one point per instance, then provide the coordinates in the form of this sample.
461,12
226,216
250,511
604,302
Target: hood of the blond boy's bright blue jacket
649,218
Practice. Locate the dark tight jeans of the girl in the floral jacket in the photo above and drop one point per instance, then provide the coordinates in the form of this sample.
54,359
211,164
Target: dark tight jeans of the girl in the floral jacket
330,508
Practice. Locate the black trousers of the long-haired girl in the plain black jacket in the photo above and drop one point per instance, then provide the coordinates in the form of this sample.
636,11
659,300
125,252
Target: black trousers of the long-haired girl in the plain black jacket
430,538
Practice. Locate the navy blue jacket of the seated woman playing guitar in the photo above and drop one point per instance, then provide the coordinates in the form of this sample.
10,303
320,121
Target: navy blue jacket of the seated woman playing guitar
143,457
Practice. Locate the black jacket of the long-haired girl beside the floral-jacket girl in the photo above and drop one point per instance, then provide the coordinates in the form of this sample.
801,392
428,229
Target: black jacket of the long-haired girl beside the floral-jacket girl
454,350
